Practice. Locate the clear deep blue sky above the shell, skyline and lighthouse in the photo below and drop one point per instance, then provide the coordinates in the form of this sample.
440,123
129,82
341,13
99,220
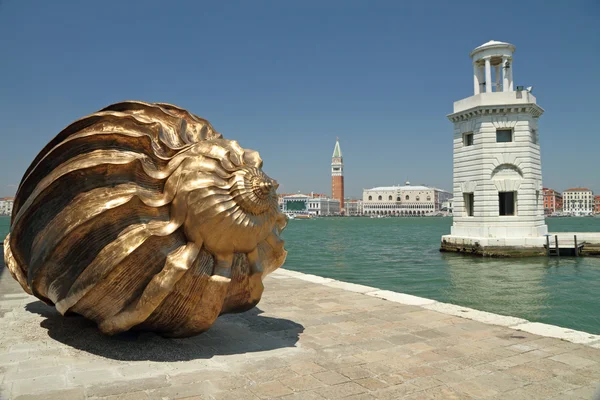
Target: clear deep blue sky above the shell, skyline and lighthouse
287,77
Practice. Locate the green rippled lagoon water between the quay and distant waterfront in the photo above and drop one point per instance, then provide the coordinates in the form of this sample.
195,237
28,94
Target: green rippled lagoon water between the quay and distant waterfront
402,254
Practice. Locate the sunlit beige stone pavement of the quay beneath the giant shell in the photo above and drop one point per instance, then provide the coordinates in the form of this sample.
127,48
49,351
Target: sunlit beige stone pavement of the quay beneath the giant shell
305,340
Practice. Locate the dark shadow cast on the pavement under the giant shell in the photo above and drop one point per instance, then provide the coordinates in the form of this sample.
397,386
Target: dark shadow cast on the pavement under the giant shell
231,334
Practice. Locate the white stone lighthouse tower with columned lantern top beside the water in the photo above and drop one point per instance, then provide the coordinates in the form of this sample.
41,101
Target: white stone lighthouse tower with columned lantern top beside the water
498,203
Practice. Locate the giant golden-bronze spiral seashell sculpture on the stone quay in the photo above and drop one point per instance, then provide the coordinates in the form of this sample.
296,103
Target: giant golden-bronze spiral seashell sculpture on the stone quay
141,216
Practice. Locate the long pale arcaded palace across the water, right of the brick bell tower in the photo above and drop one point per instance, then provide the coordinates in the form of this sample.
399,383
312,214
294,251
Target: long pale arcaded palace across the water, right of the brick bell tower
404,200
